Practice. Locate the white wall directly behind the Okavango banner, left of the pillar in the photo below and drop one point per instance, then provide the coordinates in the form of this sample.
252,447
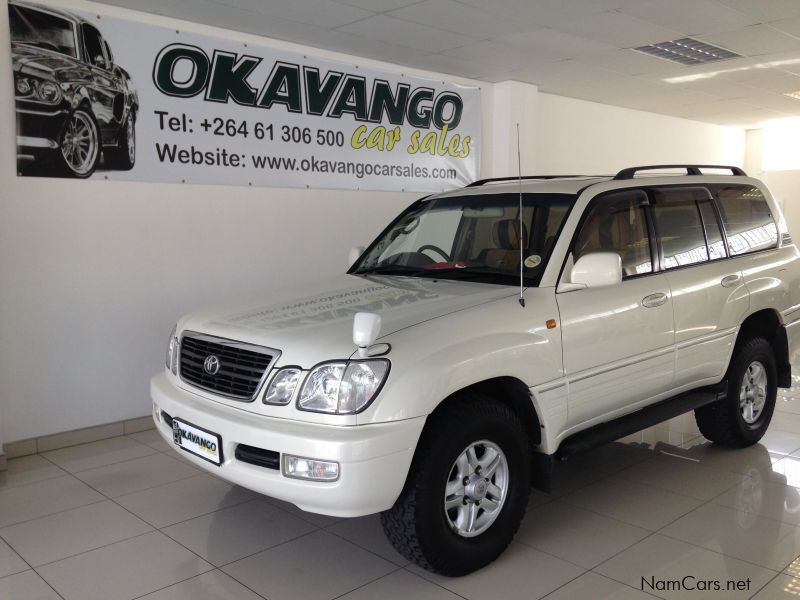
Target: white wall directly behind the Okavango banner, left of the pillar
94,274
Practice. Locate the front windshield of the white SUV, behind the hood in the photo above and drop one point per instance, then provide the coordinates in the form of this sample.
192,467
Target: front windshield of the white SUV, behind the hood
474,238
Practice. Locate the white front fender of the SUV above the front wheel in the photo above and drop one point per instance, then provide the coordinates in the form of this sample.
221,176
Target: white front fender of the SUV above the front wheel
433,360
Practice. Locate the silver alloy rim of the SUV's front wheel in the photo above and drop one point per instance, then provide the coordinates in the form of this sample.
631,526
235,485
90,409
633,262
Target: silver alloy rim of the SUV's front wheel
476,488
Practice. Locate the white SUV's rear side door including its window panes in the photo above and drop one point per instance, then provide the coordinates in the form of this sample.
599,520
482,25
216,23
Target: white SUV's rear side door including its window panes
708,292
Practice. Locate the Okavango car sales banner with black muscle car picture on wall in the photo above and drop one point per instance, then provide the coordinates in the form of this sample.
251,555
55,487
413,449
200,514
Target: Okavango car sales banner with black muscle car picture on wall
112,98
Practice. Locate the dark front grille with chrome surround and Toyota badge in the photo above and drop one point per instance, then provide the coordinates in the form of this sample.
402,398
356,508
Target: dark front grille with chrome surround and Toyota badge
241,366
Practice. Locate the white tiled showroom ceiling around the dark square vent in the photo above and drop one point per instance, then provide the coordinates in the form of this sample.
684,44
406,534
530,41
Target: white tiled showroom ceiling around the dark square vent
576,48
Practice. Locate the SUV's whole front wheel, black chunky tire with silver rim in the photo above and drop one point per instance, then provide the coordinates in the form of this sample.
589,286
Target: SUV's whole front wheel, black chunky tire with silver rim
467,489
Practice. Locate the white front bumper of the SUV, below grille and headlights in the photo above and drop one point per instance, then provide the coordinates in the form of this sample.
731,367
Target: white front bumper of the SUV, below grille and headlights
374,459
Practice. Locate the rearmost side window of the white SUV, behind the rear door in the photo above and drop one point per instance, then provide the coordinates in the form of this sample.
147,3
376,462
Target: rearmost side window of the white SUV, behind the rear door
748,221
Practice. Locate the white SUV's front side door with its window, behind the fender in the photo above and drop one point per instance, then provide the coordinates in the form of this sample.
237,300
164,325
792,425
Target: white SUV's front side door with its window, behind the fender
618,340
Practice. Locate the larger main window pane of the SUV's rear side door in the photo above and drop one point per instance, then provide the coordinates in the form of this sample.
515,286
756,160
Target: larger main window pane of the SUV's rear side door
679,227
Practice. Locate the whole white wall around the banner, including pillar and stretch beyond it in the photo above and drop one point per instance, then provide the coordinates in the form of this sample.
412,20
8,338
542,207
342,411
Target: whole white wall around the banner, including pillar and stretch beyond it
94,274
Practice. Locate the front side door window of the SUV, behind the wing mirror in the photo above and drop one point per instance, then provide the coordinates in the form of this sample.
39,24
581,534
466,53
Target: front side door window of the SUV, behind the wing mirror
617,223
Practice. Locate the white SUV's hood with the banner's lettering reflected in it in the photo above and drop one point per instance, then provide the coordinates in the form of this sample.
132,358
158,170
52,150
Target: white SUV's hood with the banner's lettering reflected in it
314,322
